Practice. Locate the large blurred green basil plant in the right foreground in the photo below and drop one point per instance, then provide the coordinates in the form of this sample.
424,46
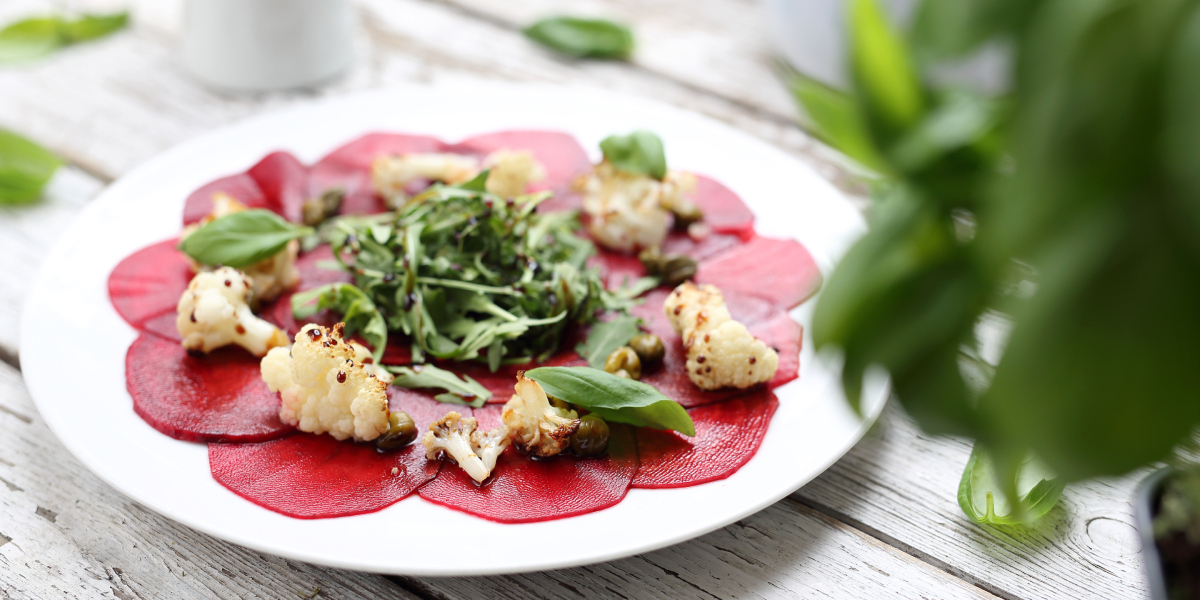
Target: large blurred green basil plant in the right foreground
1071,208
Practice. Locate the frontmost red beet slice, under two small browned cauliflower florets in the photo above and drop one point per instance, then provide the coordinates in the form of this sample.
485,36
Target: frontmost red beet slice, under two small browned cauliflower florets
524,491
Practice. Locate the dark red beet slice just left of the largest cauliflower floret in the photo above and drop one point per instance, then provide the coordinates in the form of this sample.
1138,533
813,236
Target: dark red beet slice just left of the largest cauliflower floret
220,398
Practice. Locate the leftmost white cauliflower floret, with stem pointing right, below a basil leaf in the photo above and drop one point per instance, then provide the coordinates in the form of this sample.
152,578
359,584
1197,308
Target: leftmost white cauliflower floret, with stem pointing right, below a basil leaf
214,313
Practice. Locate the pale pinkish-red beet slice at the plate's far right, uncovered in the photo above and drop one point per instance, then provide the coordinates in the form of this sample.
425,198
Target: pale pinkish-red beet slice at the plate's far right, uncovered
781,272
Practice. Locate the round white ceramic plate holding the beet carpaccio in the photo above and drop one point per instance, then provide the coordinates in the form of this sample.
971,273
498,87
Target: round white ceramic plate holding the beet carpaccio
74,343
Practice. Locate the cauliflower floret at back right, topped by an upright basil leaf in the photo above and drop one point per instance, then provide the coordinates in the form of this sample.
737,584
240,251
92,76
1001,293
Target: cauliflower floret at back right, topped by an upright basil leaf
631,212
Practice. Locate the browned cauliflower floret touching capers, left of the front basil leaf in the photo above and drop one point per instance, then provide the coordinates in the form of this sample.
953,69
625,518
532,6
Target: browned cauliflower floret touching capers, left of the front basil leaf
538,428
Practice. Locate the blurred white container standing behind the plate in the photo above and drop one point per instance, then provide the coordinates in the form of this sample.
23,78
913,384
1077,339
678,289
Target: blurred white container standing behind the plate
267,45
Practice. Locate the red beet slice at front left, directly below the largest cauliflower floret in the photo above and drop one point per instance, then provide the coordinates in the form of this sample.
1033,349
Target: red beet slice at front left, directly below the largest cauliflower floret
317,477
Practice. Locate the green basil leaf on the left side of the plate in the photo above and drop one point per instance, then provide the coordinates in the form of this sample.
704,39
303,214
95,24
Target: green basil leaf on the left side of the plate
242,239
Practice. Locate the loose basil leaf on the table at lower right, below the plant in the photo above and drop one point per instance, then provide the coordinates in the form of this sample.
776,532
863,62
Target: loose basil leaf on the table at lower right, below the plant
983,497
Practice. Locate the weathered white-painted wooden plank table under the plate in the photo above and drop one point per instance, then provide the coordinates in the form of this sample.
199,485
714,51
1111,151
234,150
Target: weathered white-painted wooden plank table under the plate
883,523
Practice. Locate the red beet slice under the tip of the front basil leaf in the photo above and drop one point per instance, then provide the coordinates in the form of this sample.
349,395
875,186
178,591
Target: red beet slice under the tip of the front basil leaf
728,436
